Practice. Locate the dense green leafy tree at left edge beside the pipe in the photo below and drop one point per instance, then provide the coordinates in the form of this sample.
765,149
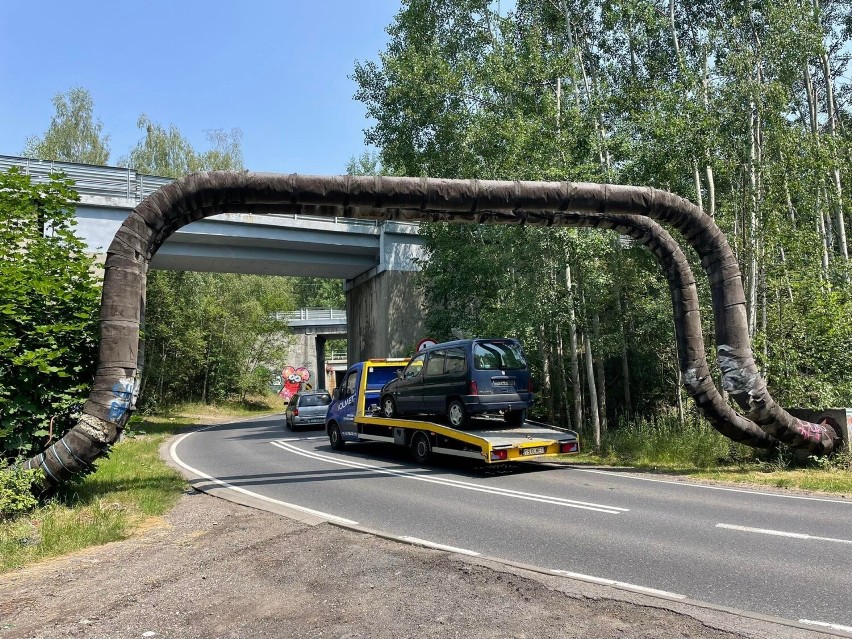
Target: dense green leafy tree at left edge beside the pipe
49,300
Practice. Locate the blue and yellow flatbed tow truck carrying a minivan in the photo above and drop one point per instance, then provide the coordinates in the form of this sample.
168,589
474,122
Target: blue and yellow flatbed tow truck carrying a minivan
354,416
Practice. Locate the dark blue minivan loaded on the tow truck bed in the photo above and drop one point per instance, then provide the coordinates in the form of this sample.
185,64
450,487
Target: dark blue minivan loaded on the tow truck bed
463,378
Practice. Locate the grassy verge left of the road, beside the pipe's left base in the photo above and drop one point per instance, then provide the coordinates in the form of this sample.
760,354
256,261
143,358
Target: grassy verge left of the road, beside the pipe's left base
129,491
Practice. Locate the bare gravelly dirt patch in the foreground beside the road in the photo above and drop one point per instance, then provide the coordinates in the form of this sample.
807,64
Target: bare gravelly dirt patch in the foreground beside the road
219,569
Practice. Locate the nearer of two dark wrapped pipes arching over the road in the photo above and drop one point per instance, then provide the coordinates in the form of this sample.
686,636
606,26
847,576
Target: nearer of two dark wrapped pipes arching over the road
416,199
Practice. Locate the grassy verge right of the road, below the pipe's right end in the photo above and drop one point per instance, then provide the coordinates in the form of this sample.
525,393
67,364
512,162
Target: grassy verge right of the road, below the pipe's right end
699,452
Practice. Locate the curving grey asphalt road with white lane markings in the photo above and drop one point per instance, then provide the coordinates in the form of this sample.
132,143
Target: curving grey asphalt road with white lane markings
777,554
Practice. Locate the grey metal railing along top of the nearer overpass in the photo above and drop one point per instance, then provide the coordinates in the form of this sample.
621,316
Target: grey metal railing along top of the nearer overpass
120,182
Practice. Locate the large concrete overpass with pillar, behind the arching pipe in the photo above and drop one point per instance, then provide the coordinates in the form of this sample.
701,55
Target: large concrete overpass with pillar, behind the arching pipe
377,259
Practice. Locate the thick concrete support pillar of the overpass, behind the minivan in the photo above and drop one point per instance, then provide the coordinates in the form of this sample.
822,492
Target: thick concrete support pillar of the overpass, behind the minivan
384,315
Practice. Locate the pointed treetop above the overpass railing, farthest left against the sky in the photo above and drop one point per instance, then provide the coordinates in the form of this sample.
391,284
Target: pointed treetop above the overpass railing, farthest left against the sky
74,134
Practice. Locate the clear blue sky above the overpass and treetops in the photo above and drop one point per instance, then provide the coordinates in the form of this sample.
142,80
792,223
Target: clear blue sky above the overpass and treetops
276,70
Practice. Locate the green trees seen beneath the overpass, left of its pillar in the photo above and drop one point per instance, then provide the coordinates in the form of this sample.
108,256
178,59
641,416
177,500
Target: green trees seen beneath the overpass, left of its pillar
209,336
